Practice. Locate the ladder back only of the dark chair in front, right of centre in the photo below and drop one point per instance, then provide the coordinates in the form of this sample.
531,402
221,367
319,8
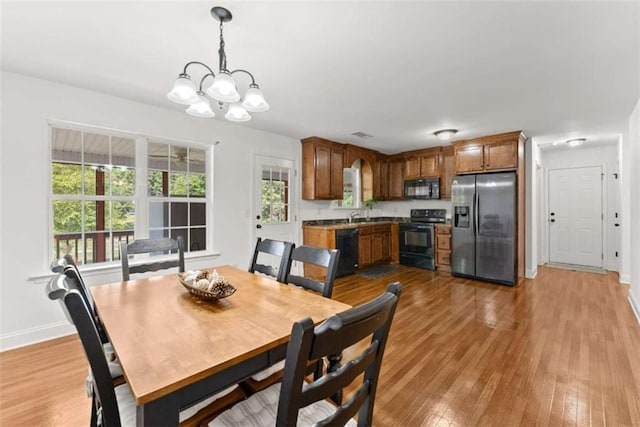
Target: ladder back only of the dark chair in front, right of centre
329,339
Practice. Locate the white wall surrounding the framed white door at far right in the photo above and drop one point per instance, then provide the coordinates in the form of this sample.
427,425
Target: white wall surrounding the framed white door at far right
605,156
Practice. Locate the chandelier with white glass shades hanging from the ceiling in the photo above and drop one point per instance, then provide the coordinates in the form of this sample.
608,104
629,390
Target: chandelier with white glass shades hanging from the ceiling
222,89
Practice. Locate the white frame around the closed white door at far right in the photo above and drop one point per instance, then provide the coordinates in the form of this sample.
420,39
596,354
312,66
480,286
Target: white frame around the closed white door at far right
603,205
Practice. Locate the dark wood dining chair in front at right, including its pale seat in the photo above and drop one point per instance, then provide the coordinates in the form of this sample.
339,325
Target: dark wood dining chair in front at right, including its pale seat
296,402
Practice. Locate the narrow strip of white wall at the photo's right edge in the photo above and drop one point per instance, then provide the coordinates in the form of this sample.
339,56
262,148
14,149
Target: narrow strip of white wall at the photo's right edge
631,154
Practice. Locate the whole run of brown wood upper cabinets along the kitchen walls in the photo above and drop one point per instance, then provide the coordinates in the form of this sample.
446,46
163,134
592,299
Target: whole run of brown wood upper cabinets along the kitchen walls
382,176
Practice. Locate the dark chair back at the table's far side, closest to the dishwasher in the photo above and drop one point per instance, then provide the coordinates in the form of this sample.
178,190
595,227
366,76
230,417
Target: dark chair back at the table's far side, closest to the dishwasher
321,257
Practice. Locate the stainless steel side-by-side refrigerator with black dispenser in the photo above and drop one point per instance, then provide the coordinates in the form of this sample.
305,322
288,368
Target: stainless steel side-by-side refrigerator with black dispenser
484,229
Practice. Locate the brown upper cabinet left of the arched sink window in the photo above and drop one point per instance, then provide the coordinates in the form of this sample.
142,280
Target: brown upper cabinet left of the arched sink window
322,164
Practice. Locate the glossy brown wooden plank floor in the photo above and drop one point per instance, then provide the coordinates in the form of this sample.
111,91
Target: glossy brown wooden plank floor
563,349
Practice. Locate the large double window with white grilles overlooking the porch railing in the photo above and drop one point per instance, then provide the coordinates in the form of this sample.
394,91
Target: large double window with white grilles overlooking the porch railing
94,193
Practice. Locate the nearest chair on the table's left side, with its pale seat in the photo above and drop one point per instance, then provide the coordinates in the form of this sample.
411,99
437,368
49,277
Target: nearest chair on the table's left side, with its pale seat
115,406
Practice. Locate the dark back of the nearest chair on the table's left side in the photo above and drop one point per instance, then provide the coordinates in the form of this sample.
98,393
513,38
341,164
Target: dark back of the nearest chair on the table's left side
76,309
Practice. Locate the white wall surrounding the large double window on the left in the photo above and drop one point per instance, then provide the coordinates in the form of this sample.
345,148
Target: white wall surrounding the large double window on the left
26,314
